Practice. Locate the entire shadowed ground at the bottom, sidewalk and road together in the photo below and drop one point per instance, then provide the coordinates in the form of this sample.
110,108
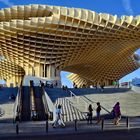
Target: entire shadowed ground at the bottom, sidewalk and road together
37,130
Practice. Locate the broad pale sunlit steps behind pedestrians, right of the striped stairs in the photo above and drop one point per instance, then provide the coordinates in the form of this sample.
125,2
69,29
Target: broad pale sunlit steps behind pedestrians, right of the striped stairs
128,99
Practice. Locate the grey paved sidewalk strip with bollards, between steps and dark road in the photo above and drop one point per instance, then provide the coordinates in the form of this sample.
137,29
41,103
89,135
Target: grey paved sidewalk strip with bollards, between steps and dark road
35,127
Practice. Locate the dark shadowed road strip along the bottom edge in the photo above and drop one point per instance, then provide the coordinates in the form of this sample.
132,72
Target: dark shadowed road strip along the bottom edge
105,135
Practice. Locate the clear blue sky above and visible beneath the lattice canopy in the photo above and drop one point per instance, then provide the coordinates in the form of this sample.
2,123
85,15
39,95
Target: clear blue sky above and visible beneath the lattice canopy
114,7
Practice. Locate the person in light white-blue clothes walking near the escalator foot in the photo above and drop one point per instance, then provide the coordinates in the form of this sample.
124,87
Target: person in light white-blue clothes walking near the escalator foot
58,120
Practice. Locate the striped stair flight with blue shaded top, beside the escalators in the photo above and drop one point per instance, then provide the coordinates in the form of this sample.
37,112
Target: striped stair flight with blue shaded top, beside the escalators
70,112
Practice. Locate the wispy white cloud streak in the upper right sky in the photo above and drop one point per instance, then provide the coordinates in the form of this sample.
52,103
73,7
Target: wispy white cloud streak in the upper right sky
127,6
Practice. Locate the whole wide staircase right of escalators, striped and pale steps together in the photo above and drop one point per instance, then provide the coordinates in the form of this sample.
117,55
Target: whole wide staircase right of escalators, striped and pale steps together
128,99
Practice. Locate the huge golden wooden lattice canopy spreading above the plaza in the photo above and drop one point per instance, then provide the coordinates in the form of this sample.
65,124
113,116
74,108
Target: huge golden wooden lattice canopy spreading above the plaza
94,46
